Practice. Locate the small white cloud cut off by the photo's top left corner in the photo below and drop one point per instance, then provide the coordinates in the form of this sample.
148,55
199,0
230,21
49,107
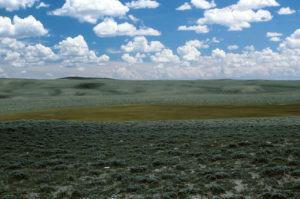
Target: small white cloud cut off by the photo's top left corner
12,5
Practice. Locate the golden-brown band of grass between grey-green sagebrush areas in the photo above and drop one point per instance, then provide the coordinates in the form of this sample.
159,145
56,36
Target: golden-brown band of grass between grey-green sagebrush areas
157,112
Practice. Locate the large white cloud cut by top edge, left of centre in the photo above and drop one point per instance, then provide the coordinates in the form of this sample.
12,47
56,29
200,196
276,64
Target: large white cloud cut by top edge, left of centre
91,10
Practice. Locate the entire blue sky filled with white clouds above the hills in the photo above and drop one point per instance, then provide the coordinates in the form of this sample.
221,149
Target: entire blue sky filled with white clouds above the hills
150,39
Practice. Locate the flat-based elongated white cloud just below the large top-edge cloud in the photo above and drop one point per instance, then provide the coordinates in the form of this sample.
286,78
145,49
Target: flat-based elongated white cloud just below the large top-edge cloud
110,28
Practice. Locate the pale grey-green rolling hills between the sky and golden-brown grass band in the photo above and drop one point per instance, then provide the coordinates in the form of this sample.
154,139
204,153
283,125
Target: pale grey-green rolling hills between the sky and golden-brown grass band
26,95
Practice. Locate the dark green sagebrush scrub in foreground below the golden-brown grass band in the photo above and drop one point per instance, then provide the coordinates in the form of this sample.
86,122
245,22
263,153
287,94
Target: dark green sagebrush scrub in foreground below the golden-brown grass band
232,159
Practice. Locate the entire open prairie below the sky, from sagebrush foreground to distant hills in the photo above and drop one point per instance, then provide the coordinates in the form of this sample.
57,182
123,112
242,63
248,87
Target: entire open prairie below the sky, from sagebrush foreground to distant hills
225,139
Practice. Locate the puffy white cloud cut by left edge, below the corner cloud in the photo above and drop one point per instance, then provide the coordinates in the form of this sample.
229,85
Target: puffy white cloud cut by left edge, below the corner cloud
21,28
